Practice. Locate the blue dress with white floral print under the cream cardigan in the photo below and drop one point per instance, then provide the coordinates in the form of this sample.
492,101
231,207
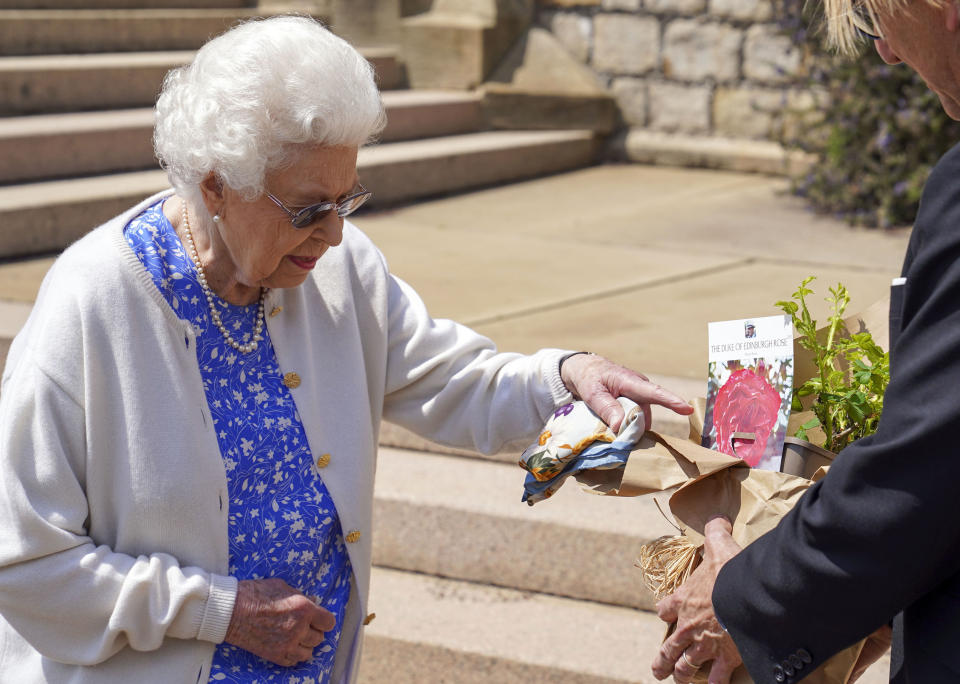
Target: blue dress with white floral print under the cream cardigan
282,522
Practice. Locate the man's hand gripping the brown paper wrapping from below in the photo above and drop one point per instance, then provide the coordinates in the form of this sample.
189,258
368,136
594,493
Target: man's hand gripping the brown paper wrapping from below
699,638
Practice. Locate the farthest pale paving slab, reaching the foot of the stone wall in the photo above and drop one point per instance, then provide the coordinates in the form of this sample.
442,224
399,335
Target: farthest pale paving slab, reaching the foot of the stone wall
698,210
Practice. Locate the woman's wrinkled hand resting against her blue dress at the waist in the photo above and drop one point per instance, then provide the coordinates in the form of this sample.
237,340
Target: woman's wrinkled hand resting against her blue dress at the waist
273,620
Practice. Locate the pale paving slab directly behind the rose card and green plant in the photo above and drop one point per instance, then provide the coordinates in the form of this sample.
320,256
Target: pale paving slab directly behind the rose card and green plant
663,329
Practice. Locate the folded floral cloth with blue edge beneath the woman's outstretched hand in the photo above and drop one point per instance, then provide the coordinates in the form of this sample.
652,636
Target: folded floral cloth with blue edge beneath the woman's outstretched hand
576,439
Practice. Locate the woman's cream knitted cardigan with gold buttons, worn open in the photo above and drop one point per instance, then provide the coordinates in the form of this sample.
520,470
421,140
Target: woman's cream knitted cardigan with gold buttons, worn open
113,506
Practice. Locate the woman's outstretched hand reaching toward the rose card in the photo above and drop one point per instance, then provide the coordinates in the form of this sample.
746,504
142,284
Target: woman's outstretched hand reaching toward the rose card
598,382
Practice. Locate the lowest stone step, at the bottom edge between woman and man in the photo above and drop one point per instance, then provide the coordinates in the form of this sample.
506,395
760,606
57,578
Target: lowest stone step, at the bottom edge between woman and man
430,629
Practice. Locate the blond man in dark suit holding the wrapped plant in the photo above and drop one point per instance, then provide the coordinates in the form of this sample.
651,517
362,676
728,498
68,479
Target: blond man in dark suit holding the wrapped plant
878,540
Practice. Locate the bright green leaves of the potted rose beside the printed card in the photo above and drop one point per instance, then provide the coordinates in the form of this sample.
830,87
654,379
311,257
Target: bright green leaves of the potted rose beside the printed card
853,371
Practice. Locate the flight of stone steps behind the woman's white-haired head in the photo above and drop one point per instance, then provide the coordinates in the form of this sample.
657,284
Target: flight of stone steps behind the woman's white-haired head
78,80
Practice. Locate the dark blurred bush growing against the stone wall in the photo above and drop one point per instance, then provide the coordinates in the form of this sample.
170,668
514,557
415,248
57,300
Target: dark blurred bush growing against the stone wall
876,136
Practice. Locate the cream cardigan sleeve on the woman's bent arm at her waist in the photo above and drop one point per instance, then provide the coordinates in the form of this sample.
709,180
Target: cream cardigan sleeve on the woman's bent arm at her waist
73,600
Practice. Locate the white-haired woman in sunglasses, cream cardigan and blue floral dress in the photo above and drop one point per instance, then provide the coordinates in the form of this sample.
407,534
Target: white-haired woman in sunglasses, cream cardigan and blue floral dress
189,419
